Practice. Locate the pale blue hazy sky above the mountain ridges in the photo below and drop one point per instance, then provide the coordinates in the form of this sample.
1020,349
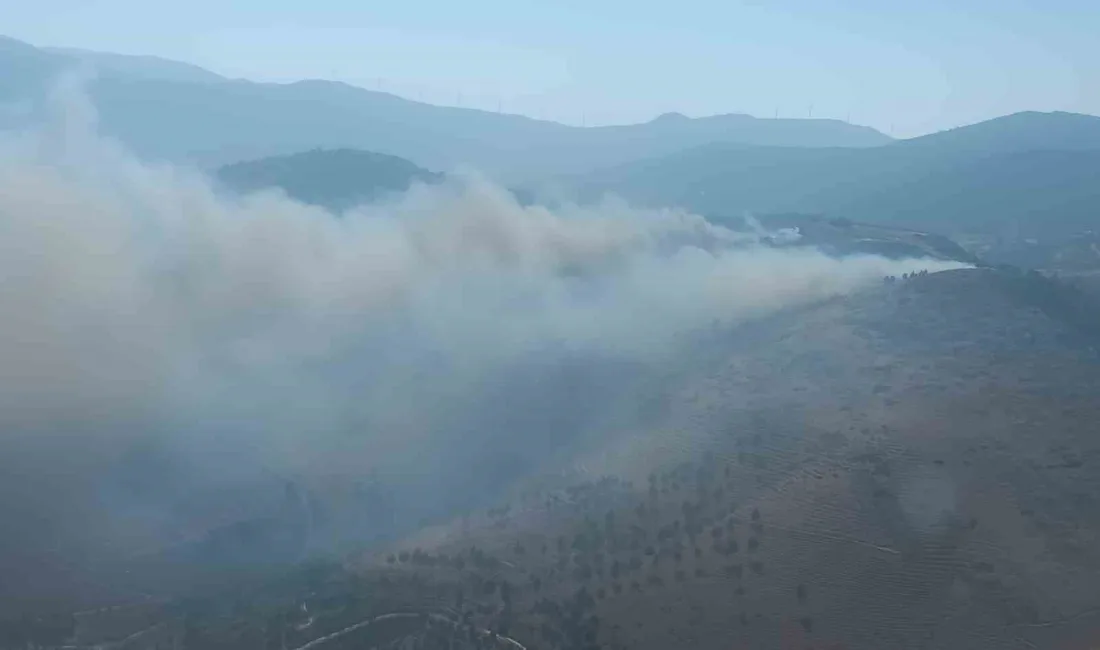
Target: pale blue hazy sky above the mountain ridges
907,68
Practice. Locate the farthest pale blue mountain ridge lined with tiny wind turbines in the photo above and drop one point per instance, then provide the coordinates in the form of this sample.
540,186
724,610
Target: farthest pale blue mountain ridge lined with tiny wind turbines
159,111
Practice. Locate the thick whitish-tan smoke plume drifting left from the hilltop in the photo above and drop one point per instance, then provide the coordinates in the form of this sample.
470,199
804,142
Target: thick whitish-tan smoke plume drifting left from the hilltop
148,317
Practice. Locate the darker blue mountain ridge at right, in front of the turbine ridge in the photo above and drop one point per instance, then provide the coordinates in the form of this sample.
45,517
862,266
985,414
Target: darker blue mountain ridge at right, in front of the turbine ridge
1022,175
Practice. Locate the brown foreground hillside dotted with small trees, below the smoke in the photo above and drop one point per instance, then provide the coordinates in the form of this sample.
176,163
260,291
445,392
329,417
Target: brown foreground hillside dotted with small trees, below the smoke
911,467
